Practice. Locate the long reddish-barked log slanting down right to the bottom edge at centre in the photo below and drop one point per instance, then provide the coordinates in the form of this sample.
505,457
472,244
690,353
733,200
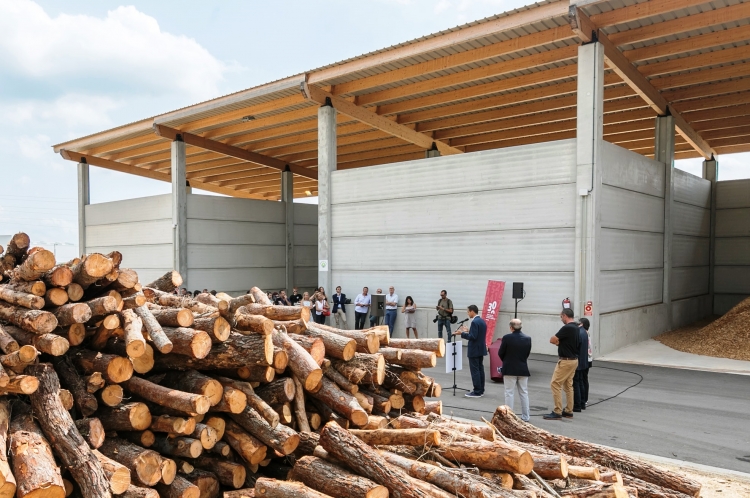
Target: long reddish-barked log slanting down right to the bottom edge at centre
367,462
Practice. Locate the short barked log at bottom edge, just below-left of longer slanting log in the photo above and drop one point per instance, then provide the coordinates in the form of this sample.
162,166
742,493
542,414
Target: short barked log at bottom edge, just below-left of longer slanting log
334,480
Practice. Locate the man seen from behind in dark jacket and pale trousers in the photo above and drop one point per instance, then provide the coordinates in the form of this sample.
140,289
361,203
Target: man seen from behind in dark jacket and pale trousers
514,351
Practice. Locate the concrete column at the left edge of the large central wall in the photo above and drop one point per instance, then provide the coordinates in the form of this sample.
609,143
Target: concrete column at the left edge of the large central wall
326,166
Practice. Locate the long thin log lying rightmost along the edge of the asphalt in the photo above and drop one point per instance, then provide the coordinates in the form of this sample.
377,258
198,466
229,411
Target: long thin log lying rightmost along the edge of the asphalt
510,425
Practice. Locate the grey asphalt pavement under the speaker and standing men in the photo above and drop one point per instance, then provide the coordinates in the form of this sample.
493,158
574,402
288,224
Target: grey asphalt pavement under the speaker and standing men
699,417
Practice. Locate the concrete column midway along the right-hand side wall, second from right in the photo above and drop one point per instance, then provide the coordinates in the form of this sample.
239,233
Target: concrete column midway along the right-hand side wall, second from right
664,153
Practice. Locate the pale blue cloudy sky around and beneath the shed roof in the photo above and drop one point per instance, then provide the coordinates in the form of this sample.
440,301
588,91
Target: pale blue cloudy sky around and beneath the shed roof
77,67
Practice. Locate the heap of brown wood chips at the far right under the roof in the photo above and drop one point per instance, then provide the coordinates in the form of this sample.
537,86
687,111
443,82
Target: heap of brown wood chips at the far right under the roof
724,337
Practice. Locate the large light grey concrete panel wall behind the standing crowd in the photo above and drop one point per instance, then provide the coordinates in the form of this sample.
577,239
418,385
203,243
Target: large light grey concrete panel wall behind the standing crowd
454,222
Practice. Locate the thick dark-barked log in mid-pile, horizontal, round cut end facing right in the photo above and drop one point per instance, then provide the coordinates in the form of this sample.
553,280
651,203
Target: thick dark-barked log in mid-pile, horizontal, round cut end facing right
236,352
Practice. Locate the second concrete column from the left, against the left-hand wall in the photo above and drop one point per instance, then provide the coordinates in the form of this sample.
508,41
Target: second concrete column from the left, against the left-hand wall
179,209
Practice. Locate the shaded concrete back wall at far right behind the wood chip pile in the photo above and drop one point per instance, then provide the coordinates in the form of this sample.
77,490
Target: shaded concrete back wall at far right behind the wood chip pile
732,260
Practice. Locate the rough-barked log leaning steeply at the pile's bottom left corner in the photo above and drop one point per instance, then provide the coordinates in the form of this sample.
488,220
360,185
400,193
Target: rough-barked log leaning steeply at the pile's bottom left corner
67,442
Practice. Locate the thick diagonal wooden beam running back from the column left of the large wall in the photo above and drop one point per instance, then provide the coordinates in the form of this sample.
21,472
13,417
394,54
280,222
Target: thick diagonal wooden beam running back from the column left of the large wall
380,122
